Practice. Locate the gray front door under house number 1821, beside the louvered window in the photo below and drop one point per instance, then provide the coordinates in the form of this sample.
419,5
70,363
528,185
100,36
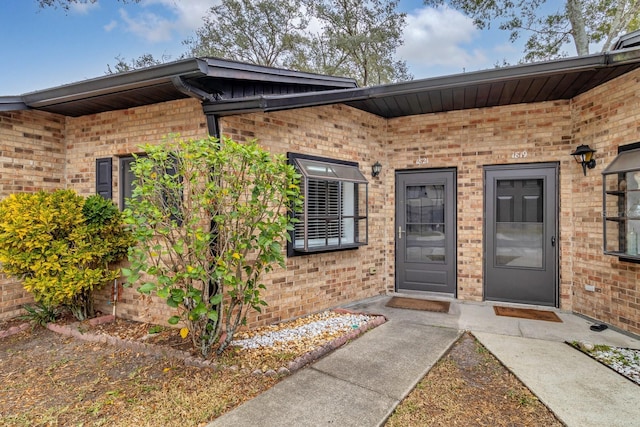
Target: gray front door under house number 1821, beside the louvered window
425,231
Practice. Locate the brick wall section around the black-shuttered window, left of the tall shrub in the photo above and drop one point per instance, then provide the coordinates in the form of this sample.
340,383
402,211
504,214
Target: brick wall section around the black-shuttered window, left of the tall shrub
116,134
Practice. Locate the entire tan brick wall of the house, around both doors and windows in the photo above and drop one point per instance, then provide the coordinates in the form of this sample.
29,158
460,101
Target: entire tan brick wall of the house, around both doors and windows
35,146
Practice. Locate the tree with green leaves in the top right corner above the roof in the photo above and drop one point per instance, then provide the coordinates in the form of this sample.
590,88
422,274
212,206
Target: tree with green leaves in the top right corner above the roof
582,22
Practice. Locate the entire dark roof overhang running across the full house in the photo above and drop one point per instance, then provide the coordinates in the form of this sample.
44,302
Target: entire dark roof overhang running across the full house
229,87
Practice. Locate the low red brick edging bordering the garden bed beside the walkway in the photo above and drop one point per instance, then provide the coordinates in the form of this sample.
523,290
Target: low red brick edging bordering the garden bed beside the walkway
190,360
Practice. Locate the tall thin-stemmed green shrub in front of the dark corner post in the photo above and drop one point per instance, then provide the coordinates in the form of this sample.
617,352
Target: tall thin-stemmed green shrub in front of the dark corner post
209,217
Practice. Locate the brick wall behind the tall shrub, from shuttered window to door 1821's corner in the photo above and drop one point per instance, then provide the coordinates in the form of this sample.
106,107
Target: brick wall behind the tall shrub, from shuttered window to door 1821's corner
309,283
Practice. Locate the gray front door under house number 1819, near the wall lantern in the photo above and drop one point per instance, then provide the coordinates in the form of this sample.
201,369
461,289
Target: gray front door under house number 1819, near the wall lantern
521,255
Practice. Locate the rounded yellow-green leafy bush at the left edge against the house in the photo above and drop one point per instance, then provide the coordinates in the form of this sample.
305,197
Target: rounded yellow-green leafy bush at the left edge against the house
60,245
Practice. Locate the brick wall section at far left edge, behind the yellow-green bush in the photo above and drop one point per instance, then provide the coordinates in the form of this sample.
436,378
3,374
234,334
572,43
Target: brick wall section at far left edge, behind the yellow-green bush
32,156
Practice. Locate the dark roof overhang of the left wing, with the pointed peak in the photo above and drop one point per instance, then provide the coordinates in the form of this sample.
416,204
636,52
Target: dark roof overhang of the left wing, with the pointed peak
203,78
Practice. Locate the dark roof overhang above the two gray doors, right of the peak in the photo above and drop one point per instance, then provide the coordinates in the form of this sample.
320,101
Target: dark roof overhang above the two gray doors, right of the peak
544,81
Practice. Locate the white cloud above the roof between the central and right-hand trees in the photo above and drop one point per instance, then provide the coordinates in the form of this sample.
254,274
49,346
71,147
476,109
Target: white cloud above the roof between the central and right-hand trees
440,37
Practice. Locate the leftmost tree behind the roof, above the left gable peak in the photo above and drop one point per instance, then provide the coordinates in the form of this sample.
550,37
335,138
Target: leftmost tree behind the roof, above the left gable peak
261,32
